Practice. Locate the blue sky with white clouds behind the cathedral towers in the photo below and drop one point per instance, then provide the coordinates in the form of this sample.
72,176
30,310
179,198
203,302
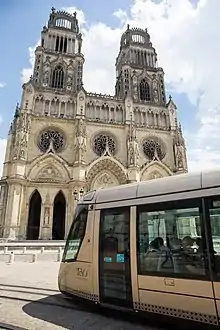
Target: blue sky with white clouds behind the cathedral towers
185,33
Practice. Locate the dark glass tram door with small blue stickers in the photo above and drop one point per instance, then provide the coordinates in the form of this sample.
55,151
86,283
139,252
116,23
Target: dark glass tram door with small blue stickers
114,257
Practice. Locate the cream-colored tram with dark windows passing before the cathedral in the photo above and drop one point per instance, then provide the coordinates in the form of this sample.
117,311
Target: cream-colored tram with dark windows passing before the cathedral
152,246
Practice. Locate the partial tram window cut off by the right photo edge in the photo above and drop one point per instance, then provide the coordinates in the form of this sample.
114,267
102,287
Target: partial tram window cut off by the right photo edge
214,214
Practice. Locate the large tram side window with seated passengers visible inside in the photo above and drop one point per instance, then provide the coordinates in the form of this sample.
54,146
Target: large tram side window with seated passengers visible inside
170,239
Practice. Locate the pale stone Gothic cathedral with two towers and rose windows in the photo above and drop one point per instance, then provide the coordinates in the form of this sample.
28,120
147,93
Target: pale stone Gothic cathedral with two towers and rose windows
65,141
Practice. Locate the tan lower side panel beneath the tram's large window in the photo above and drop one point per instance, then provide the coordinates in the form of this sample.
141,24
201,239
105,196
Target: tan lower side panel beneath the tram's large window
178,298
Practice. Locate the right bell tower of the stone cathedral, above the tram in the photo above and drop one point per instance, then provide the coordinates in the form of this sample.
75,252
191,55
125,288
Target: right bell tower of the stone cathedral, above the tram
137,73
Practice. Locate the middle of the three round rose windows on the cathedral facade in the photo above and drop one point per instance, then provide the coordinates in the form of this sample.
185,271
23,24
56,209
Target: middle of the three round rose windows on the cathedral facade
101,142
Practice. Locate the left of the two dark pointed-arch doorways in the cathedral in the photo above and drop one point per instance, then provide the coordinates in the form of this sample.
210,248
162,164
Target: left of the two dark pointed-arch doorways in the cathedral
33,226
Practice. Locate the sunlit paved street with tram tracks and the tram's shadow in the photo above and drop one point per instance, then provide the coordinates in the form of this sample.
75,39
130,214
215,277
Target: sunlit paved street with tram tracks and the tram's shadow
29,299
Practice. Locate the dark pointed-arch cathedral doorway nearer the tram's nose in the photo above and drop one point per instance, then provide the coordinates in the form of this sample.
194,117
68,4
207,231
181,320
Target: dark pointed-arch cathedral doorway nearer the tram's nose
59,216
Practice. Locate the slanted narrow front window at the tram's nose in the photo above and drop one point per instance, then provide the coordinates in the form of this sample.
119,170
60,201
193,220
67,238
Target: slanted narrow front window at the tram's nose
76,233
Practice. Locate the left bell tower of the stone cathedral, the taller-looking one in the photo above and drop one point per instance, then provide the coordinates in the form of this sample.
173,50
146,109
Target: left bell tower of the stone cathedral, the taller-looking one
58,60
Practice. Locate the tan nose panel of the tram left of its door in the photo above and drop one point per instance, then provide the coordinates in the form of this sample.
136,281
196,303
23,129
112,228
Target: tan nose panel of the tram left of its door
76,277
